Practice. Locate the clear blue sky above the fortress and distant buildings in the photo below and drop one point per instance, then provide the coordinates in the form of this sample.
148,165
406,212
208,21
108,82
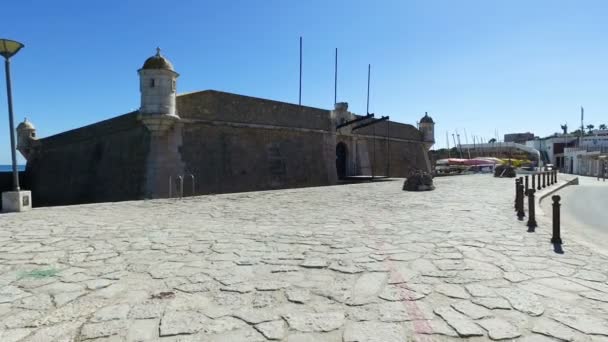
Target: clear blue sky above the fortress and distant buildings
483,66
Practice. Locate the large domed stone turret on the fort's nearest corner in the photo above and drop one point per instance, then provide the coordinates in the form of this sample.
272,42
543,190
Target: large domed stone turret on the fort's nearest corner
157,84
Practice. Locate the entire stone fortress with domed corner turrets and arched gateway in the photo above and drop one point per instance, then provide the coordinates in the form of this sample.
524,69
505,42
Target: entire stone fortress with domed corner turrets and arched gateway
217,142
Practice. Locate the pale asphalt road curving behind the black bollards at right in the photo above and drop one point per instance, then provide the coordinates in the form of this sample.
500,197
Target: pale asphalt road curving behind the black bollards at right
584,210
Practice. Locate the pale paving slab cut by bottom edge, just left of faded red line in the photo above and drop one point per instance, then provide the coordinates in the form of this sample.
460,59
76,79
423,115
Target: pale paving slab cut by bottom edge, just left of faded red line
374,332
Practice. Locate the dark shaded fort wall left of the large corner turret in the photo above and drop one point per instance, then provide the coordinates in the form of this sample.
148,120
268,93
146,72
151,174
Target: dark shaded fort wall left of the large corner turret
102,162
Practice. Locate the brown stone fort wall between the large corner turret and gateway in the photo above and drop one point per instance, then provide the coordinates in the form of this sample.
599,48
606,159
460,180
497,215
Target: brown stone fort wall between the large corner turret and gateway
238,143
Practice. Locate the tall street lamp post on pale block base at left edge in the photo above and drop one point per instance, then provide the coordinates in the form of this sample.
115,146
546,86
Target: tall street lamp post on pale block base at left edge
16,200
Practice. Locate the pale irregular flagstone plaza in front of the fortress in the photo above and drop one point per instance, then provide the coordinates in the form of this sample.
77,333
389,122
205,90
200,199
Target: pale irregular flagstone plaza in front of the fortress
364,262
